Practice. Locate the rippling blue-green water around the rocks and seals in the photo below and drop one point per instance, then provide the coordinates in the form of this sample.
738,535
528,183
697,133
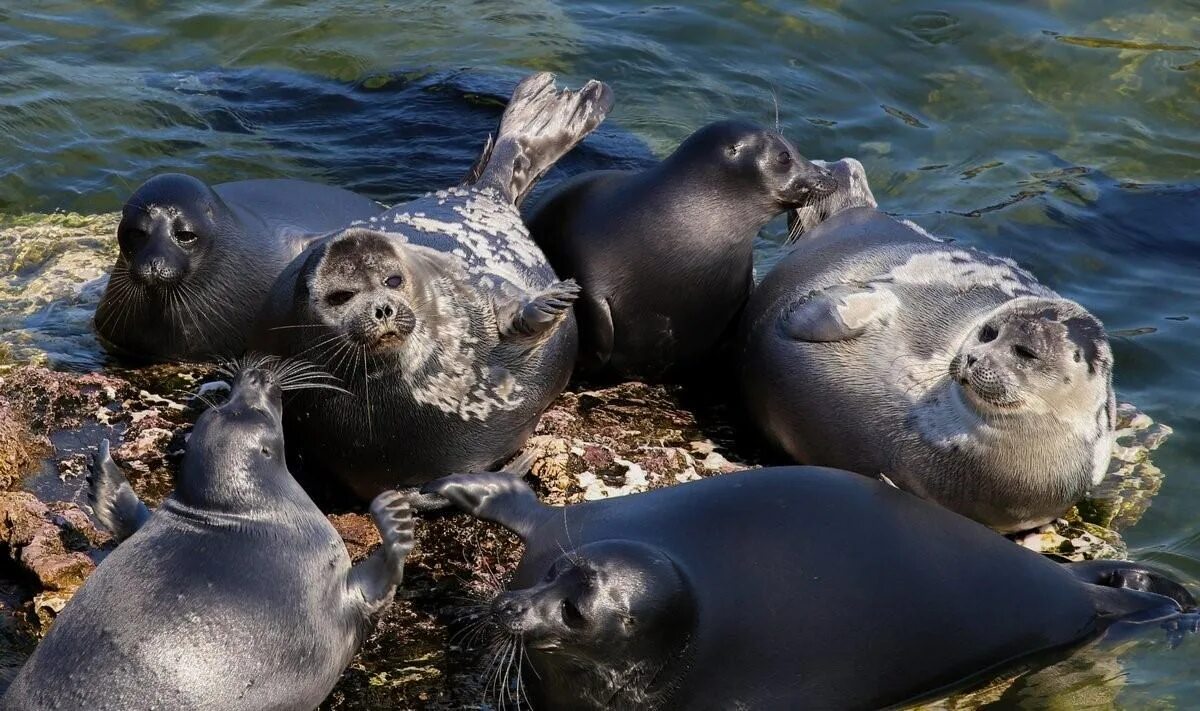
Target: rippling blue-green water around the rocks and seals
1060,133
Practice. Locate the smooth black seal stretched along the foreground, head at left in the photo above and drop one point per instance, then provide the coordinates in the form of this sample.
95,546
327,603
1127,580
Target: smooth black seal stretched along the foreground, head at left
788,588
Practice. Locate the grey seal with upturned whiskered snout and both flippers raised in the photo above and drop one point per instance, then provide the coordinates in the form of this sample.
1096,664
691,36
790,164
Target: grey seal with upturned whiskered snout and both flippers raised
236,594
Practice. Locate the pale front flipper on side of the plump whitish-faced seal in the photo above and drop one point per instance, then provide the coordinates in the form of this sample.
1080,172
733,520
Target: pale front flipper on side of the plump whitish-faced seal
838,314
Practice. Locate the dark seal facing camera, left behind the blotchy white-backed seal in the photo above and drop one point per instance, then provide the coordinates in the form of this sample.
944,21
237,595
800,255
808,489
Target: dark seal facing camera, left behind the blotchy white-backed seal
196,262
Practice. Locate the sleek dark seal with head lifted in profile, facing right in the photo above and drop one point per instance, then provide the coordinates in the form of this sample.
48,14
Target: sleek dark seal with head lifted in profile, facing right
665,256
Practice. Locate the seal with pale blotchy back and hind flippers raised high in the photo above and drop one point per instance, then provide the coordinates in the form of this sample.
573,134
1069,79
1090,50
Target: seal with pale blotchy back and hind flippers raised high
441,316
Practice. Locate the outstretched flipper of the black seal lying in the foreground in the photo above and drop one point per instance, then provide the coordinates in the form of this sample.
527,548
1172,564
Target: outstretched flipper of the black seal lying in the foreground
500,497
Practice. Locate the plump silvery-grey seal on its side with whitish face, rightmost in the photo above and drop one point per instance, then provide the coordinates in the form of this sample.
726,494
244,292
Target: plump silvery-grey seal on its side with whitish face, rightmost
878,349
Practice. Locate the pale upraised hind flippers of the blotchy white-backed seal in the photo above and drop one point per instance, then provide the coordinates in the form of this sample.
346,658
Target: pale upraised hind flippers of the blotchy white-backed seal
538,128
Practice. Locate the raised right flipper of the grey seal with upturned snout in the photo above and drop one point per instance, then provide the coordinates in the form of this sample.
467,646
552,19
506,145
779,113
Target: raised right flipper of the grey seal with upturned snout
374,582
